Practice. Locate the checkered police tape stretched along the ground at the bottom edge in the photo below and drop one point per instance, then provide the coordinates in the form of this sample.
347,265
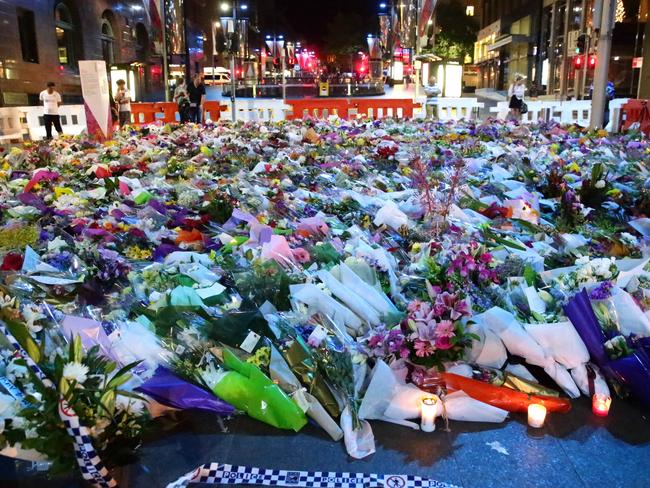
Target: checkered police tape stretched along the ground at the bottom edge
227,474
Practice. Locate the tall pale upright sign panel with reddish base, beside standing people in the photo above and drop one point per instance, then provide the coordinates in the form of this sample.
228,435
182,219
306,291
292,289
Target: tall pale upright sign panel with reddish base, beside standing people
94,88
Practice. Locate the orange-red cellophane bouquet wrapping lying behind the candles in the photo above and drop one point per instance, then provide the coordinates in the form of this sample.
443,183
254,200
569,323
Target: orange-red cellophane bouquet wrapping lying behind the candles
503,398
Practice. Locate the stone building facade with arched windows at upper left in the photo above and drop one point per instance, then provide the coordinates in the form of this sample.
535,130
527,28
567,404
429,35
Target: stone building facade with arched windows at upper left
43,40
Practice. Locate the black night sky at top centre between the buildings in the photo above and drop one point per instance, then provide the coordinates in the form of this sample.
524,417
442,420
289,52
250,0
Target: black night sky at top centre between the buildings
308,19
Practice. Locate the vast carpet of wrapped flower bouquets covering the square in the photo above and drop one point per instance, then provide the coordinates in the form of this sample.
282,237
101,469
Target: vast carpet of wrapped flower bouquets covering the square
332,272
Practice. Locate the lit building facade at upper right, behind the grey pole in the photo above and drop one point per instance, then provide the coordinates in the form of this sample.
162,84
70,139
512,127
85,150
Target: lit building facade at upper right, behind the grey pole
553,43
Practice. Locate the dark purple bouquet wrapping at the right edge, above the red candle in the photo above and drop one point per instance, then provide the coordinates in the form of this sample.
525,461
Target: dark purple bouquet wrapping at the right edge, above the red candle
632,371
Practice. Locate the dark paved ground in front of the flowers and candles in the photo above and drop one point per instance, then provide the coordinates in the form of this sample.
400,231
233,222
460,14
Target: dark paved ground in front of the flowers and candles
576,449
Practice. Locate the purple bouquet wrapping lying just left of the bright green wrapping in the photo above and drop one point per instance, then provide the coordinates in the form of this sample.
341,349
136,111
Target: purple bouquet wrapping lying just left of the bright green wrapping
170,390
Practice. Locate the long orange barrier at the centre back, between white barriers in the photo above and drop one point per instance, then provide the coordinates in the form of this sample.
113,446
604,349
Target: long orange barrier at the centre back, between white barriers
369,107
